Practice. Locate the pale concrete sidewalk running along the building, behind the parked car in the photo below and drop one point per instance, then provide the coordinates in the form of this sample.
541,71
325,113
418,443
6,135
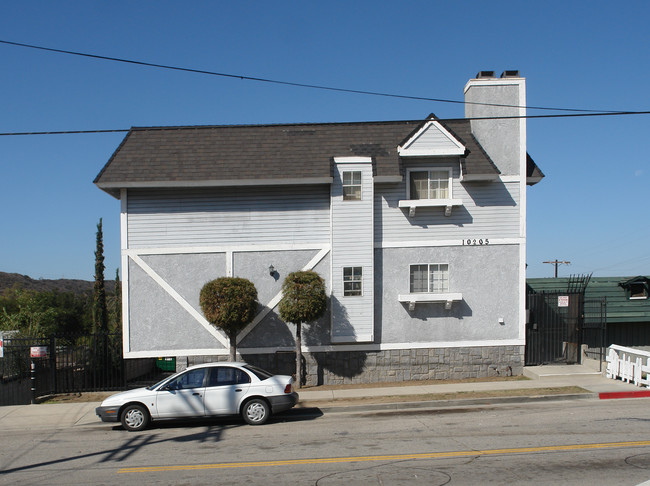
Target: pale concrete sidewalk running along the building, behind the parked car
55,416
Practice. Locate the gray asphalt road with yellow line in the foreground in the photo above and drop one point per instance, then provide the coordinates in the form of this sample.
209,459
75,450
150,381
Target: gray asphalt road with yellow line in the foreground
569,442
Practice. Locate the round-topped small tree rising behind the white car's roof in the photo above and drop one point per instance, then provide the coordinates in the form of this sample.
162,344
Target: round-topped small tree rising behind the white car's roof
229,303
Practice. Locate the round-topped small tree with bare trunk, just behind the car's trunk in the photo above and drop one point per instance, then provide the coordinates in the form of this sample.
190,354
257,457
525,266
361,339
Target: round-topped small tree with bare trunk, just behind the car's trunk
304,300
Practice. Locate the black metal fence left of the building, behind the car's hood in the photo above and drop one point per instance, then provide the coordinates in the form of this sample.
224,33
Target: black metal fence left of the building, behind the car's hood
37,367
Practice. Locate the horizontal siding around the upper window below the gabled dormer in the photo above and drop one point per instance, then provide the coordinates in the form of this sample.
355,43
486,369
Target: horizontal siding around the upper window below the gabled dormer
489,210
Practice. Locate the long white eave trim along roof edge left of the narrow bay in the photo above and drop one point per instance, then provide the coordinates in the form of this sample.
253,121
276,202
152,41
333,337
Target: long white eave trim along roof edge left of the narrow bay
214,183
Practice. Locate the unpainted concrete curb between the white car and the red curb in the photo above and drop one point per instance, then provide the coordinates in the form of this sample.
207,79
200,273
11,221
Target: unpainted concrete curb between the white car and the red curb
444,404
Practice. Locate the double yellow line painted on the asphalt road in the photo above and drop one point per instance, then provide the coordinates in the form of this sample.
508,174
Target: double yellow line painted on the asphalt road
393,457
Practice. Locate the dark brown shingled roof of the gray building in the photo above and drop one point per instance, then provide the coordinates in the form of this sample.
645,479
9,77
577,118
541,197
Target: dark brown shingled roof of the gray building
245,154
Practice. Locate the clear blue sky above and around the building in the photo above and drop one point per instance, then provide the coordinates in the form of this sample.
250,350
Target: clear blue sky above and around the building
591,209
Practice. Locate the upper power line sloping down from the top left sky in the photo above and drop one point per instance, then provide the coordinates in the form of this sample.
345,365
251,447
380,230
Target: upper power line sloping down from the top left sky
286,83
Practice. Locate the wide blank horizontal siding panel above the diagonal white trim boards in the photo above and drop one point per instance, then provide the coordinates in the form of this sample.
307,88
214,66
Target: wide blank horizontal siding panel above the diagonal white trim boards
186,218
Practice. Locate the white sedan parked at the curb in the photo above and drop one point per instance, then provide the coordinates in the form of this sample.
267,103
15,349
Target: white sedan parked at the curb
206,390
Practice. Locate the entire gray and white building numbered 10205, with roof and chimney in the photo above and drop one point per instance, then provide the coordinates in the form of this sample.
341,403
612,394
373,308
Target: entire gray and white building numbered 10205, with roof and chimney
418,228
